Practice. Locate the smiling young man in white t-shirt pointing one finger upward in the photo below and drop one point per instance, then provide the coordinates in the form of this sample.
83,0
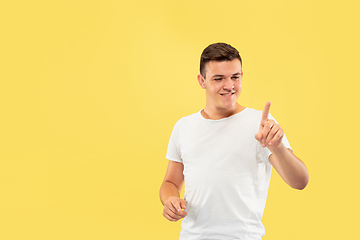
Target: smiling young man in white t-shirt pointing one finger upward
225,154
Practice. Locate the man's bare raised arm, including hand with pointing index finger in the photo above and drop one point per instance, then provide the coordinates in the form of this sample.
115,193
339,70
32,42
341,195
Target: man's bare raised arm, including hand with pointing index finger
291,169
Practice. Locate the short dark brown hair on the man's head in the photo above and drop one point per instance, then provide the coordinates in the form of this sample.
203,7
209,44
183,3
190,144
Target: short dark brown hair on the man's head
217,52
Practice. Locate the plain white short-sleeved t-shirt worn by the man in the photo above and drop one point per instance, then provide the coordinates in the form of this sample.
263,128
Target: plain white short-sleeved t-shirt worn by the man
227,175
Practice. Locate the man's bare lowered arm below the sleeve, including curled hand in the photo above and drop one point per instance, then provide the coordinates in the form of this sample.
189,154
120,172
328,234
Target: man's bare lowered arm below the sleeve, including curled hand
170,192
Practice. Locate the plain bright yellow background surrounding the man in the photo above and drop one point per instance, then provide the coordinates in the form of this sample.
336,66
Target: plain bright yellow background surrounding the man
90,91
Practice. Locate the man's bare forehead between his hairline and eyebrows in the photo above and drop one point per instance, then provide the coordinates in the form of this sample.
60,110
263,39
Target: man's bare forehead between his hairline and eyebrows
223,67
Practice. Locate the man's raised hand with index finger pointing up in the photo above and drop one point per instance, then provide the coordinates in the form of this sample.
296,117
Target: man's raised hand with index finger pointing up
270,133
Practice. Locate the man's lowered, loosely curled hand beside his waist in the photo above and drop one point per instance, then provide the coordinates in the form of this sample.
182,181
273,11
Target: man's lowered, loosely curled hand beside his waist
173,209
